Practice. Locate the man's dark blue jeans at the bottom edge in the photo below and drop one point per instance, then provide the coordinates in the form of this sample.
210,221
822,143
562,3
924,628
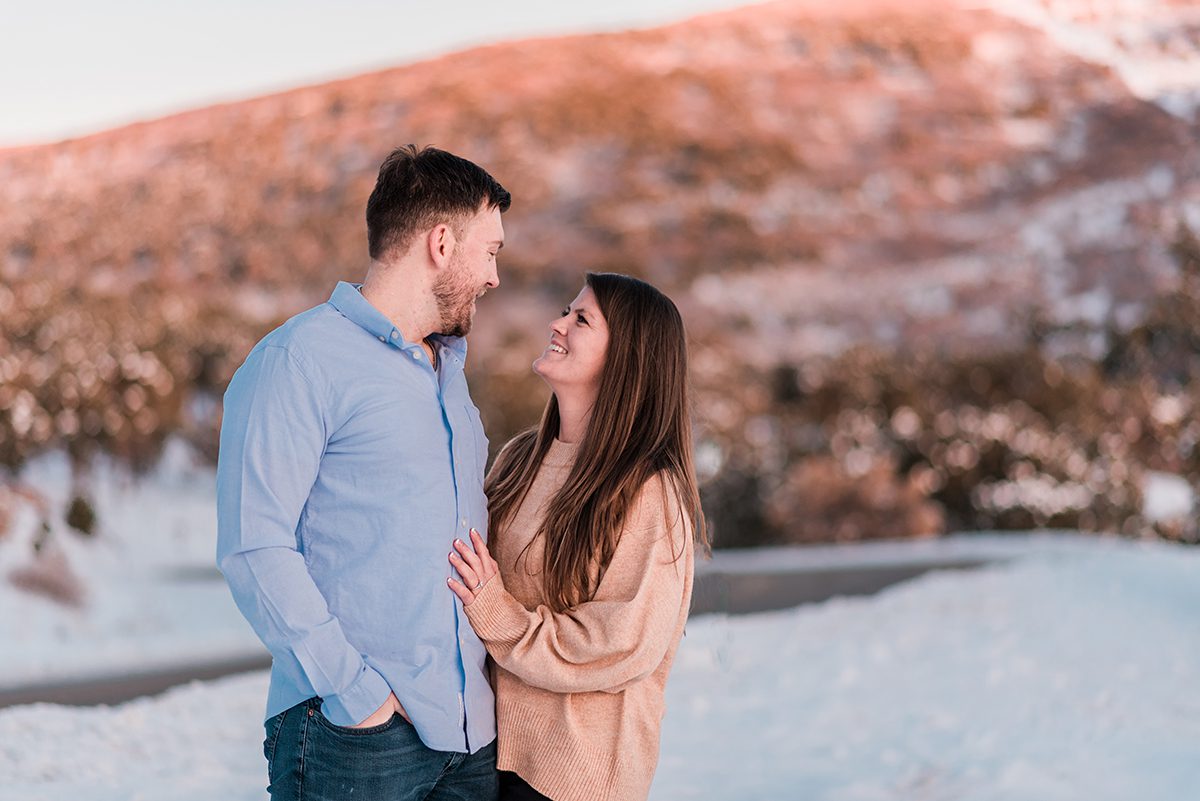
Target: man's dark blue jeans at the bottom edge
311,760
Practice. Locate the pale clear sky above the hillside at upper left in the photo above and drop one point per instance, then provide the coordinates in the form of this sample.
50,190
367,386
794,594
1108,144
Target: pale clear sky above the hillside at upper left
77,67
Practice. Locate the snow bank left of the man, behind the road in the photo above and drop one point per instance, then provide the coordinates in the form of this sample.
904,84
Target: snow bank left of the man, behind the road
153,595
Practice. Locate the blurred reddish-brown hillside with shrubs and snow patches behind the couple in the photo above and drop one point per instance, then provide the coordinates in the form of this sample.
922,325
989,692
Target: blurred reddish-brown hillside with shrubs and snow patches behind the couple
905,236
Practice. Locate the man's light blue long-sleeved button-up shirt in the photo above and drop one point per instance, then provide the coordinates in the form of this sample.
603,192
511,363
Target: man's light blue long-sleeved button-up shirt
347,468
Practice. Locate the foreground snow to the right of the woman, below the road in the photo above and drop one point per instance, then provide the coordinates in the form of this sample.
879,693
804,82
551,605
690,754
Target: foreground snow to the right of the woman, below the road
1057,678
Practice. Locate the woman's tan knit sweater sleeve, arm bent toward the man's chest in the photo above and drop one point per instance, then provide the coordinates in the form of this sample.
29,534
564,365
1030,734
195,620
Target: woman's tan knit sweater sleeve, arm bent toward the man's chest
620,636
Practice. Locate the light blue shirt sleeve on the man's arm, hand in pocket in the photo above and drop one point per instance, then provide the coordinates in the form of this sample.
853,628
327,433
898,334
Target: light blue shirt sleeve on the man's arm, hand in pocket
273,438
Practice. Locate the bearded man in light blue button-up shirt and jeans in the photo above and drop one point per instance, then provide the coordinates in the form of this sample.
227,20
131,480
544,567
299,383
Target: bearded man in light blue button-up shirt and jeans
352,457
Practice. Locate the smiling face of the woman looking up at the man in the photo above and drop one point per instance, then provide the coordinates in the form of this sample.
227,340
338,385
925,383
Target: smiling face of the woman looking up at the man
579,341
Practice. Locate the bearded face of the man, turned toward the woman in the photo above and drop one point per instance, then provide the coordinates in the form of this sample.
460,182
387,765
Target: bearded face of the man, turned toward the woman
471,273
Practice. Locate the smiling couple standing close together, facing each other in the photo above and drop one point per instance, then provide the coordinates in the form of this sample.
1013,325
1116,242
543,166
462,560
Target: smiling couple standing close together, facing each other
363,544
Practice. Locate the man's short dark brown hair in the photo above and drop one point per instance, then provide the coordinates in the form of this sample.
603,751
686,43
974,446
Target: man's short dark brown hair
418,190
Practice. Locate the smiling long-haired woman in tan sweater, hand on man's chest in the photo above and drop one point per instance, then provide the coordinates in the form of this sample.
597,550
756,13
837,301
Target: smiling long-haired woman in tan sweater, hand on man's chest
584,597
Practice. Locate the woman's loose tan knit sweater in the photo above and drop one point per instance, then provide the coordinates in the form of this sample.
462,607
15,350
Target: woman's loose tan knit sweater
579,695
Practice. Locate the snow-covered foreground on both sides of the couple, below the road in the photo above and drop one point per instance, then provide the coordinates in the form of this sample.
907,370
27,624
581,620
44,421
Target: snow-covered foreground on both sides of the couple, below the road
1063,677
